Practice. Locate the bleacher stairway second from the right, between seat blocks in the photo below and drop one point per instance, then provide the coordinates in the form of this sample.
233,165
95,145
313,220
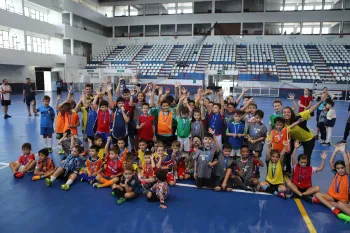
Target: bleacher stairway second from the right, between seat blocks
281,63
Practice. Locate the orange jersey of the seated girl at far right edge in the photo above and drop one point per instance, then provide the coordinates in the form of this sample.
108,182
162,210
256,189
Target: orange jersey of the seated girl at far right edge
339,188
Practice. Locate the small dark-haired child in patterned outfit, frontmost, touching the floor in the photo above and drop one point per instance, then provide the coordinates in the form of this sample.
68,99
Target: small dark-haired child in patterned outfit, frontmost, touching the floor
159,191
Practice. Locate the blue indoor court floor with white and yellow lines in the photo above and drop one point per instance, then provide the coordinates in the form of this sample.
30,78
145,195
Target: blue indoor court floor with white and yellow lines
31,207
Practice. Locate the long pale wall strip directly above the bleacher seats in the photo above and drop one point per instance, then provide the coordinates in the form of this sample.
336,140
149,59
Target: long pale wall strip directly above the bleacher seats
234,39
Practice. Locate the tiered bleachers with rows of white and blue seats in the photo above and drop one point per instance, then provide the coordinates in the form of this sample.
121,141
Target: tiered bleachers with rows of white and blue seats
289,62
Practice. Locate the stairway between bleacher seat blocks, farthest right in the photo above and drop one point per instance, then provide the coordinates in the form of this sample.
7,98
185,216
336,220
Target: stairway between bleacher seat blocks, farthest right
320,65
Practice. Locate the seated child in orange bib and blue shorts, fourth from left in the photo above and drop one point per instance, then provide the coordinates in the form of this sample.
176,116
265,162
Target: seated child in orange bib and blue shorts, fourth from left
93,166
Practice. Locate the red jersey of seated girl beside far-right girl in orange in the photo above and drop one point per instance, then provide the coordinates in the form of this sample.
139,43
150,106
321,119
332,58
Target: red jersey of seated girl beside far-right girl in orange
302,176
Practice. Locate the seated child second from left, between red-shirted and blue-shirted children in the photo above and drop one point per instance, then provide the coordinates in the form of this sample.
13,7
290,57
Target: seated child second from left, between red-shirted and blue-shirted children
45,167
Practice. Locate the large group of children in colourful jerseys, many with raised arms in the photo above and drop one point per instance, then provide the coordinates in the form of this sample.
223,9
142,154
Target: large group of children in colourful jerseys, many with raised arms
216,143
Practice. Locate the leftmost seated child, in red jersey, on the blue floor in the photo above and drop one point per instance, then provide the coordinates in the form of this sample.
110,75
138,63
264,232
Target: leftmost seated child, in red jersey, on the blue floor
26,162
